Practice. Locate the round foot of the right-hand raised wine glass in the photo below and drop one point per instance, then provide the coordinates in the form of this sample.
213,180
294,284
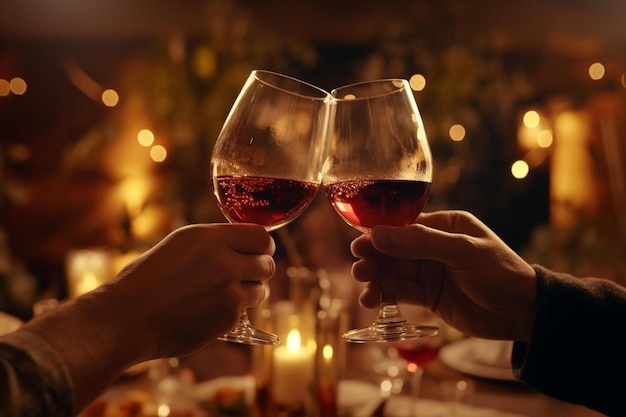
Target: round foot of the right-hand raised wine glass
390,332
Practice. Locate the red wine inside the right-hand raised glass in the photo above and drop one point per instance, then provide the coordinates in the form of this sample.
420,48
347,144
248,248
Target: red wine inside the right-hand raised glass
367,203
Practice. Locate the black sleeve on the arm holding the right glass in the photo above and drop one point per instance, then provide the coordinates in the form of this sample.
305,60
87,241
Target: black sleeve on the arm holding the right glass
577,350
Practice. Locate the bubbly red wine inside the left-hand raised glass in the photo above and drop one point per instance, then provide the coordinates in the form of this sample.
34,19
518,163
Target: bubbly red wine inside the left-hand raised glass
271,202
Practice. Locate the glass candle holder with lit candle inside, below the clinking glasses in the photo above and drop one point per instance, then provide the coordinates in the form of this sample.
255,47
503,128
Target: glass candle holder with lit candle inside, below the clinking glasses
299,377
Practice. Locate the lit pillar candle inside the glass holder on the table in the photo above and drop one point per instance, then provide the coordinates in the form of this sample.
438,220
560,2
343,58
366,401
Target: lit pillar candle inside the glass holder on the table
293,372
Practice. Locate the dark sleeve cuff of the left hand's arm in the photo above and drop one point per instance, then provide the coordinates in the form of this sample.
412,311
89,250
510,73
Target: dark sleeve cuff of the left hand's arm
34,382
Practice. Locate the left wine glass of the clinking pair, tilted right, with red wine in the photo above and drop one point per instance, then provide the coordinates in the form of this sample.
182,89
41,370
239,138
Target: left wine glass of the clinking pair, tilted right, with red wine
266,164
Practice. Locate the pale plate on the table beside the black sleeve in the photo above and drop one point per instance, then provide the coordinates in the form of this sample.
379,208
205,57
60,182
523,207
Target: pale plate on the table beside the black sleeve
470,357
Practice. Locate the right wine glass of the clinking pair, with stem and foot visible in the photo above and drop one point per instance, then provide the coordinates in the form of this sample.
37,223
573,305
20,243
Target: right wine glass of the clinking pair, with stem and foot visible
378,172
